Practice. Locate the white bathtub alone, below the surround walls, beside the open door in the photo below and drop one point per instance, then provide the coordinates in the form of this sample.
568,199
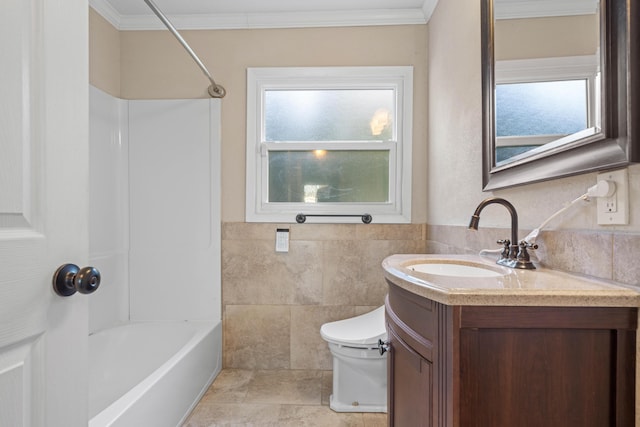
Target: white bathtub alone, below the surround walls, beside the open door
151,373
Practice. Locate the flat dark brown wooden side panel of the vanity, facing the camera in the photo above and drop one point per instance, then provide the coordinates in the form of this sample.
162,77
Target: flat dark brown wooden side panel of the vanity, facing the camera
547,366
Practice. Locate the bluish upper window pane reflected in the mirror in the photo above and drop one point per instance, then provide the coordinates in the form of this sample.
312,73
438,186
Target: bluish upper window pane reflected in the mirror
541,108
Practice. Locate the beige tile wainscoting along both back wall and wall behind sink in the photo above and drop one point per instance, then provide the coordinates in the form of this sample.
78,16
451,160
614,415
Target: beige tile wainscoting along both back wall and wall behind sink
274,303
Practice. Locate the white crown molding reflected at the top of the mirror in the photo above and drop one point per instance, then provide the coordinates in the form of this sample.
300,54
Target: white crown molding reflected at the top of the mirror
505,9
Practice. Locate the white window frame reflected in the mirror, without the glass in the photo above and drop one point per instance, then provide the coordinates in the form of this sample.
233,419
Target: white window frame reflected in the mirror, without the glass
582,67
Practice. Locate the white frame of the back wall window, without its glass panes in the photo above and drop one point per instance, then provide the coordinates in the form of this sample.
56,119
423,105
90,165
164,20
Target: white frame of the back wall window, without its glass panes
259,80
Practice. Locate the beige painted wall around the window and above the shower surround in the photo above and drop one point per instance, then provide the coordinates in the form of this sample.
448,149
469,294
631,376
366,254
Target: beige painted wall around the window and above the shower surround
154,65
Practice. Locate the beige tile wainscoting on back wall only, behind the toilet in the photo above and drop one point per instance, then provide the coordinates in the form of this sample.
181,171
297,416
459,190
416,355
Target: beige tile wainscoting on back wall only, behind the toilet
274,303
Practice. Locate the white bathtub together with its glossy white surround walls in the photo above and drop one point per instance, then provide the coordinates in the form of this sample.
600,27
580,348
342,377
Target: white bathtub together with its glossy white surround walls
155,342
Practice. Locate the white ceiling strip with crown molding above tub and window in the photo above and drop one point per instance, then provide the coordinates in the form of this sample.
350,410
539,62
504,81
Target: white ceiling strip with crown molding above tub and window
217,14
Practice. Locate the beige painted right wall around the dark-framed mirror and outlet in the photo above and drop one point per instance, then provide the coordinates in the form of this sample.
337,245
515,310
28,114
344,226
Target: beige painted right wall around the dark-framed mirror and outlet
455,140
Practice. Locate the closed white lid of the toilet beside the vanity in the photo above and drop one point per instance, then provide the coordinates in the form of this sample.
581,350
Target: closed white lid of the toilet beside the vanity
364,329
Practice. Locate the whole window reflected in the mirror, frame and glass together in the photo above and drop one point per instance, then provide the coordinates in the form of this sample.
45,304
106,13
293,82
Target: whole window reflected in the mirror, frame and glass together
539,101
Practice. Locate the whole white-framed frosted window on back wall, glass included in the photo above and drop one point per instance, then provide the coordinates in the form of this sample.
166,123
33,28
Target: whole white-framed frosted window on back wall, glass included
329,141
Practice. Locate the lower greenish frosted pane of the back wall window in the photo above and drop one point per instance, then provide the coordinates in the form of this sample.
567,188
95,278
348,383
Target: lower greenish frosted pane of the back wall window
322,176
